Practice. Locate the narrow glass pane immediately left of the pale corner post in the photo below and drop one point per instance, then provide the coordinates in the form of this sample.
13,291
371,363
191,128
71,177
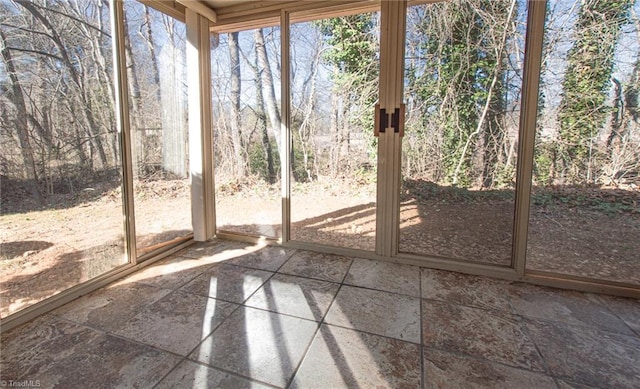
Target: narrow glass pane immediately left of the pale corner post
155,48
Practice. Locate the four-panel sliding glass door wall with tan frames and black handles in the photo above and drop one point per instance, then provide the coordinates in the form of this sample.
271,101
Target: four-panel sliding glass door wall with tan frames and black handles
439,187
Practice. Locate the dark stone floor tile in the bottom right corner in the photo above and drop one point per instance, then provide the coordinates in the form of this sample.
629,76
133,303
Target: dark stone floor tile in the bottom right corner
588,356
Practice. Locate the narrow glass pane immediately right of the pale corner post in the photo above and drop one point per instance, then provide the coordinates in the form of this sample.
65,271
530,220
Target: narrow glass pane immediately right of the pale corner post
246,114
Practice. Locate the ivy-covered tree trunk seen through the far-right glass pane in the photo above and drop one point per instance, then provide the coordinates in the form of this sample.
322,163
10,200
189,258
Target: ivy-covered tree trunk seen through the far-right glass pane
583,109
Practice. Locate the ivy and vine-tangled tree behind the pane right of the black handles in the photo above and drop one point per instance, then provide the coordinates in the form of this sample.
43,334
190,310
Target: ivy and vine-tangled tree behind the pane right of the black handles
458,80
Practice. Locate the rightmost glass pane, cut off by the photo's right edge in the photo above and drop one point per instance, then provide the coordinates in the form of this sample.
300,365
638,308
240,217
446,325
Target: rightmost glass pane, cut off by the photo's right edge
585,202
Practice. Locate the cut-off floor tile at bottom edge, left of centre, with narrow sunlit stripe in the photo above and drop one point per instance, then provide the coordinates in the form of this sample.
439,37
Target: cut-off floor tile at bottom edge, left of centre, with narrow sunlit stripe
193,375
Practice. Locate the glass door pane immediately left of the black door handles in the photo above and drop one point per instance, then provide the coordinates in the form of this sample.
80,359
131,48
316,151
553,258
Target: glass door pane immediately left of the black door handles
334,88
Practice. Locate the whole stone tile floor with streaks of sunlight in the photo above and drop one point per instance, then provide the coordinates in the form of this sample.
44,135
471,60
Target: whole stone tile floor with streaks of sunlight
231,315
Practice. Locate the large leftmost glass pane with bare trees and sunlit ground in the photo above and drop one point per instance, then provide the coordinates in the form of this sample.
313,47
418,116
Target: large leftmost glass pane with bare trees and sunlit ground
61,218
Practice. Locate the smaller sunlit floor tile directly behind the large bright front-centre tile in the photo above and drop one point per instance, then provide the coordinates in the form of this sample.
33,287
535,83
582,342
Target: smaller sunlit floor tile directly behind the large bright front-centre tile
296,296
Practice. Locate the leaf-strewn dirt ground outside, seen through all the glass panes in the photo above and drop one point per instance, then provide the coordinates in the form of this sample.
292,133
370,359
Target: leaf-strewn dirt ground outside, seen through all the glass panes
593,233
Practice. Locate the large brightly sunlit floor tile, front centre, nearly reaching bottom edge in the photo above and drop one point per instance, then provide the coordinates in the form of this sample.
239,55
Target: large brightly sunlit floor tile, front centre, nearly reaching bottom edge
262,345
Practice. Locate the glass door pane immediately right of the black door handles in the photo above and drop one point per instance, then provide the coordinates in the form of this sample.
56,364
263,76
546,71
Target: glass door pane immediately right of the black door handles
463,74
